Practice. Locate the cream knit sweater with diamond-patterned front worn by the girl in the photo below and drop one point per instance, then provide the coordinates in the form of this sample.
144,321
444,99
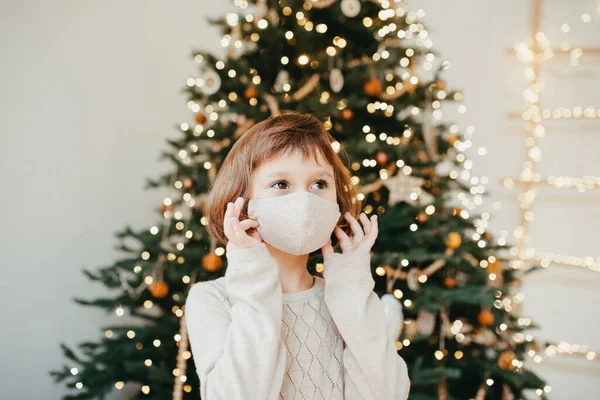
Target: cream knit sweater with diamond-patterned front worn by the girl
250,341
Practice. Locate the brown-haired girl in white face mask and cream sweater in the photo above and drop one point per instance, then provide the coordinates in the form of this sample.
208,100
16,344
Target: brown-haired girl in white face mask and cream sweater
269,329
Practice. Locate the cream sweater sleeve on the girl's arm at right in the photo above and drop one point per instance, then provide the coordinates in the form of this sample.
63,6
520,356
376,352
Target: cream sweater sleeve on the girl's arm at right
373,369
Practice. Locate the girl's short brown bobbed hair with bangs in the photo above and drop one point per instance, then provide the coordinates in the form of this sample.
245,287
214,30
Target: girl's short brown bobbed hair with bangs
268,139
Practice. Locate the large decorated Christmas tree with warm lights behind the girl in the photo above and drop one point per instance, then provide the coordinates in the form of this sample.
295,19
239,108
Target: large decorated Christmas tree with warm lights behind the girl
367,71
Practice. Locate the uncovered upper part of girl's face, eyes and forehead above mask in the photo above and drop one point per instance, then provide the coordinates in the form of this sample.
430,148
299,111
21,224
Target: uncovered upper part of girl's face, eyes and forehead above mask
288,174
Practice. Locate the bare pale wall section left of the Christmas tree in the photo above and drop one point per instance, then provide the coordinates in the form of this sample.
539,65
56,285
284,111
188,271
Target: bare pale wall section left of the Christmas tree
89,92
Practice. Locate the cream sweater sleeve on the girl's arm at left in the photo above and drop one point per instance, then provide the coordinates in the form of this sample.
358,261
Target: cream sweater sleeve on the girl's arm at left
239,353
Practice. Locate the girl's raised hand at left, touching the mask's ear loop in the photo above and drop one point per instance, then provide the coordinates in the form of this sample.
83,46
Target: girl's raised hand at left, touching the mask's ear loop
235,230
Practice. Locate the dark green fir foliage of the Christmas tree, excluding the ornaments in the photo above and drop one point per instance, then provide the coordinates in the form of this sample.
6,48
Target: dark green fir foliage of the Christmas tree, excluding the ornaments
121,356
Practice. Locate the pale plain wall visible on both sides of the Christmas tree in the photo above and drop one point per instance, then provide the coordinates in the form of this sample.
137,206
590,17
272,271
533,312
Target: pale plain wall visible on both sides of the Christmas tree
90,91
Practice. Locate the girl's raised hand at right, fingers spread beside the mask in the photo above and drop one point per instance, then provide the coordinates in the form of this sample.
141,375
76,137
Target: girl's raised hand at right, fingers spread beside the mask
359,238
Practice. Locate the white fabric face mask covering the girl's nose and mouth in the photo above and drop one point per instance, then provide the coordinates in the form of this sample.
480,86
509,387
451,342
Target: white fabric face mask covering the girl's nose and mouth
296,223
